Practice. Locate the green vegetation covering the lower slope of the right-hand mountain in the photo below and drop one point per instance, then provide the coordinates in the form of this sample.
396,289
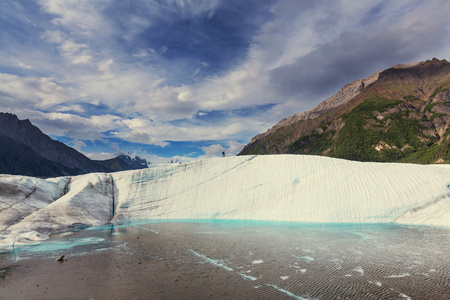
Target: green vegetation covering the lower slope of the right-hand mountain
393,136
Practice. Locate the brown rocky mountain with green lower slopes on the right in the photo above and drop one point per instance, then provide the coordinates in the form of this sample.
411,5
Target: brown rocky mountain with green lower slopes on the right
401,114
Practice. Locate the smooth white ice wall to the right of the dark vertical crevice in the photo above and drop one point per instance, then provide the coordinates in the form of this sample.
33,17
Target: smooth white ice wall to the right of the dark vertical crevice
280,188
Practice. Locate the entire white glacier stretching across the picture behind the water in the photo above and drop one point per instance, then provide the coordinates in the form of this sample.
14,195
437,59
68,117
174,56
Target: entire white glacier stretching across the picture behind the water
293,188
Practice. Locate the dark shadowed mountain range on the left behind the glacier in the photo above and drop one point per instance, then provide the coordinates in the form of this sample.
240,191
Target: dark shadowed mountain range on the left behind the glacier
25,150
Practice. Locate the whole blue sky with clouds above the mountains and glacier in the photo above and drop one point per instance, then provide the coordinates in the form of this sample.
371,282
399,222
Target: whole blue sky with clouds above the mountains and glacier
186,79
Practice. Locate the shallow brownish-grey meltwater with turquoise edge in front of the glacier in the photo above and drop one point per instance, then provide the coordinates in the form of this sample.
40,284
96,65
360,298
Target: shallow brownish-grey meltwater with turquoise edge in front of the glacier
223,261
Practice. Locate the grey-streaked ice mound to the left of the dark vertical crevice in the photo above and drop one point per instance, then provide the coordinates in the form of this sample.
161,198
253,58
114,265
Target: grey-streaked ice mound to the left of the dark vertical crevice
87,202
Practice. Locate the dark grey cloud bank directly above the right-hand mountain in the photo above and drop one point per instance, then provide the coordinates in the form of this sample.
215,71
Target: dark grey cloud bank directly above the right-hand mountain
382,44
